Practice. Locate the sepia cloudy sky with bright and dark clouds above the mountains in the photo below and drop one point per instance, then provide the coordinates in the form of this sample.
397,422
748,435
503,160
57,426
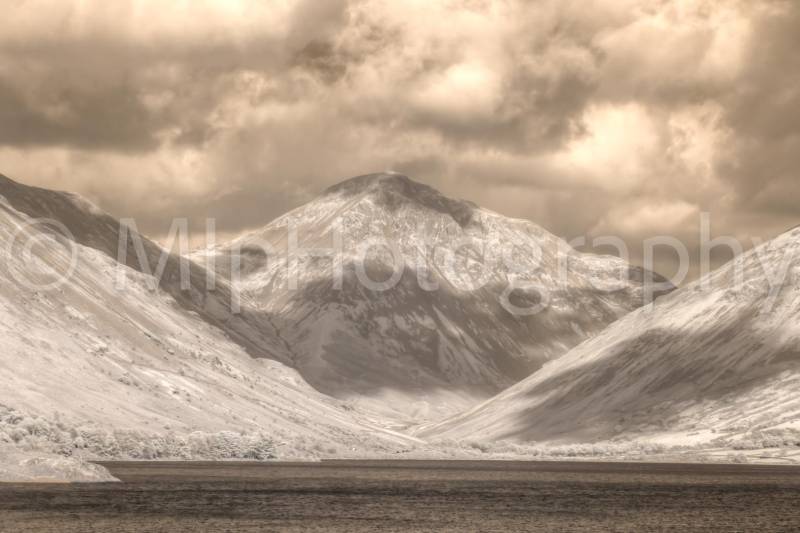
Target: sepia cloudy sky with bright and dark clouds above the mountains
624,117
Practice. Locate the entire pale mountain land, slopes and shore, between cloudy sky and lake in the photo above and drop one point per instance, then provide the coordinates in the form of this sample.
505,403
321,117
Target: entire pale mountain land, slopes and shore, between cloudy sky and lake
381,318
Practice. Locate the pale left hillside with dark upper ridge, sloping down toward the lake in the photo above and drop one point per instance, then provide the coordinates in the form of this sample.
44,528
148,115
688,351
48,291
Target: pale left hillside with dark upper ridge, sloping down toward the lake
95,354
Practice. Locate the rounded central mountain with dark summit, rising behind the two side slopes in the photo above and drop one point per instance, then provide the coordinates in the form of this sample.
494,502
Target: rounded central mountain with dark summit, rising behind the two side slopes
444,335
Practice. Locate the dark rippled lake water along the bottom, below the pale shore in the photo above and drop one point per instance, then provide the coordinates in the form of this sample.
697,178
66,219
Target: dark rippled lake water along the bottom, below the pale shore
457,496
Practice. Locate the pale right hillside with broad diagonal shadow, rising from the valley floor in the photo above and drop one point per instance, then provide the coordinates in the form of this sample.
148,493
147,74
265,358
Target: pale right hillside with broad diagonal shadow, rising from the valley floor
715,360
